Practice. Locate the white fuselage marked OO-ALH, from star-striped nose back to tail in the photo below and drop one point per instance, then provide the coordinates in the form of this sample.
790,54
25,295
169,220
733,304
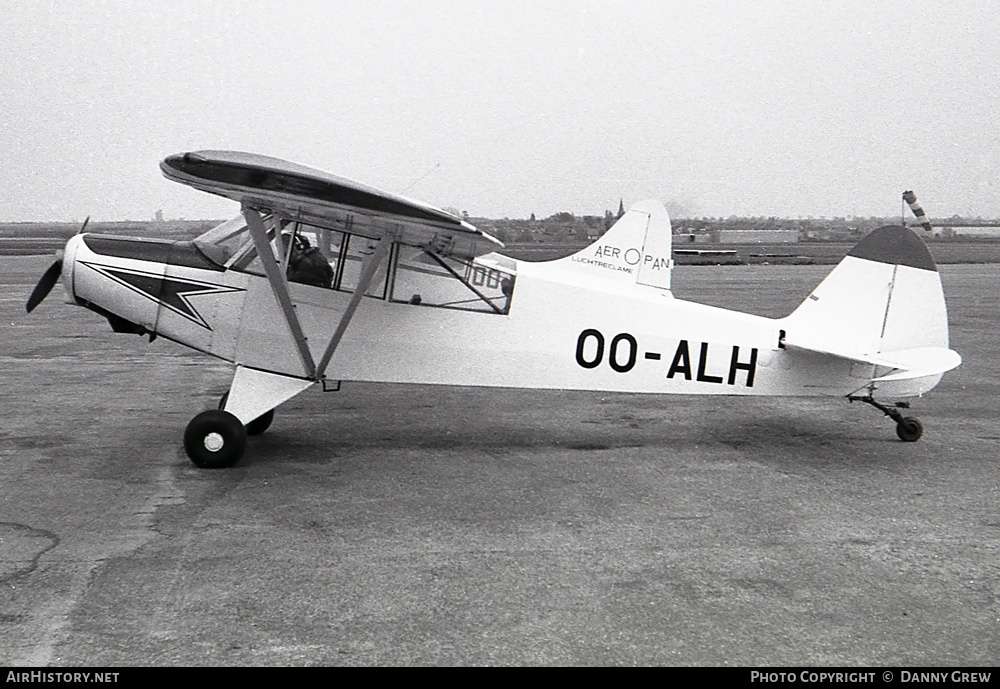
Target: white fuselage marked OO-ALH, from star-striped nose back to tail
563,330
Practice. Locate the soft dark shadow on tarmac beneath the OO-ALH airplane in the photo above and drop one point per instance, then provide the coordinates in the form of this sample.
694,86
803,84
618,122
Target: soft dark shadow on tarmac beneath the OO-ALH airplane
502,422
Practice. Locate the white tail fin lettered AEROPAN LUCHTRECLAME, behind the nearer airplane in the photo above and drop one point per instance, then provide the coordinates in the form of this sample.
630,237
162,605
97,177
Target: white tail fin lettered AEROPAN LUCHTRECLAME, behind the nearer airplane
636,249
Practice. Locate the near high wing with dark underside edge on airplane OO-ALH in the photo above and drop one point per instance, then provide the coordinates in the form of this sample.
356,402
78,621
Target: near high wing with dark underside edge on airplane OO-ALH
303,194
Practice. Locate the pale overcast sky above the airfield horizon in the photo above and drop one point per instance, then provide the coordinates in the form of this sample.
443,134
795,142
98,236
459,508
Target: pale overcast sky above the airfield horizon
508,108
